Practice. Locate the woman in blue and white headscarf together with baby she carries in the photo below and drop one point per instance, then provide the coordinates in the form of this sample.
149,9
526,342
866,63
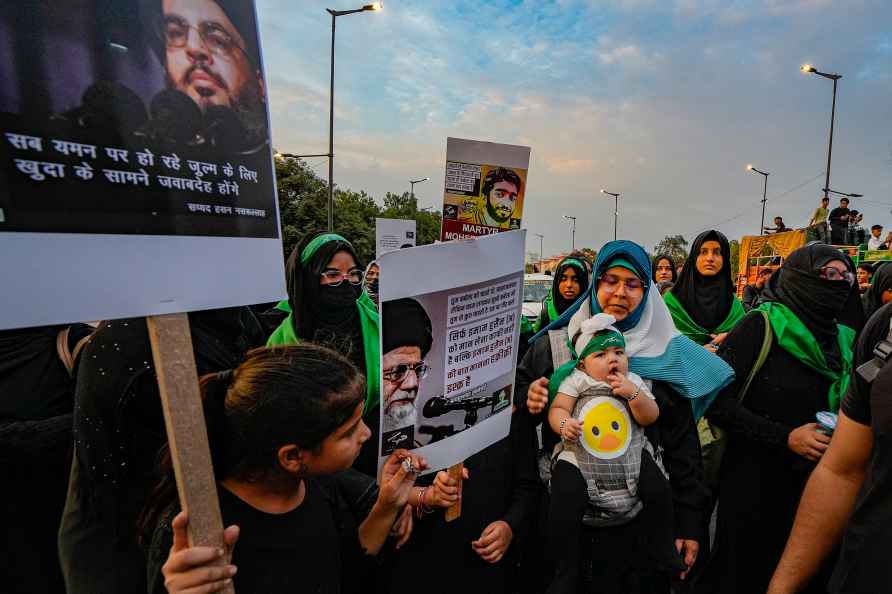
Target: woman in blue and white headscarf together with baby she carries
620,412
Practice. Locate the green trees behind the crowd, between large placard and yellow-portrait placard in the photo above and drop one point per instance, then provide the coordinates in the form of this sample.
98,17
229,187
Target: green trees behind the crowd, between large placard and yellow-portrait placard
303,205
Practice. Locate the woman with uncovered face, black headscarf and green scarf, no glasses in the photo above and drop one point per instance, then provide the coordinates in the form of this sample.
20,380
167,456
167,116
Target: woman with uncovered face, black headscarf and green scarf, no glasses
702,302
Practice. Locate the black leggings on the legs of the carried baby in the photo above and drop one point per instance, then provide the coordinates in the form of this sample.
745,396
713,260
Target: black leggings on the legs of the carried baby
569,499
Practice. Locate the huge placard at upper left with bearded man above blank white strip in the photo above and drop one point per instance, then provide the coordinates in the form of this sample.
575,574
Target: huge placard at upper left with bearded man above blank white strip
135,162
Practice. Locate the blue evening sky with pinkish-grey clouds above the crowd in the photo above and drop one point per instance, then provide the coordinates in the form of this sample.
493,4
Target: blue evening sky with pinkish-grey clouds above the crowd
663,101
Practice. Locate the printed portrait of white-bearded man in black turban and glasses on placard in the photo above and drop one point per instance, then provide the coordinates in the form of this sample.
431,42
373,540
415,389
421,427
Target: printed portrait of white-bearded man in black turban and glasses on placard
407,340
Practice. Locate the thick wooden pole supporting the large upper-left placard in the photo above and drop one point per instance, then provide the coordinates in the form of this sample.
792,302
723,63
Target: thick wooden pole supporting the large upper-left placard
186,430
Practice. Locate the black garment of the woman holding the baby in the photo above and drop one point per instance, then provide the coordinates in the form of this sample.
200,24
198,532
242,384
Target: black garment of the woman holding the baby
675,432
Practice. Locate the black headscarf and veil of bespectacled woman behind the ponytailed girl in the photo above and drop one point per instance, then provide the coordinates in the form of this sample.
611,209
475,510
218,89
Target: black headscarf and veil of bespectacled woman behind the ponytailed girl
324,314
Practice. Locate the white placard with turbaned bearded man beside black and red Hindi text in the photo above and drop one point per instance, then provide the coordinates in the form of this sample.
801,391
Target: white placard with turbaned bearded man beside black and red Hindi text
449,346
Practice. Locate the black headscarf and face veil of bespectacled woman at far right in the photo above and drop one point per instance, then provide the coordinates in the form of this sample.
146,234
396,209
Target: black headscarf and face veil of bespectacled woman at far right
817,302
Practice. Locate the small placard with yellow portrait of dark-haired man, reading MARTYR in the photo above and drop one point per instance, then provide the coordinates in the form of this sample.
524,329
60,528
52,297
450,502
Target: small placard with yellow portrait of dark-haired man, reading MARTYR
485,188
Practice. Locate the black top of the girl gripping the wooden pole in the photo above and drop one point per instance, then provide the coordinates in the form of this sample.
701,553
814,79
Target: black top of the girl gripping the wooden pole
312,548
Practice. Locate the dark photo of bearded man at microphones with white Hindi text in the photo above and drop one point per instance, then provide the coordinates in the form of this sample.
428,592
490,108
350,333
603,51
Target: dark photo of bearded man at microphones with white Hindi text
115,121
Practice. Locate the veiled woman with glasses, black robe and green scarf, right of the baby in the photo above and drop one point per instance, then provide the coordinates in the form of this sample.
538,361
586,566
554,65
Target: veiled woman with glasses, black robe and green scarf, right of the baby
773,442
